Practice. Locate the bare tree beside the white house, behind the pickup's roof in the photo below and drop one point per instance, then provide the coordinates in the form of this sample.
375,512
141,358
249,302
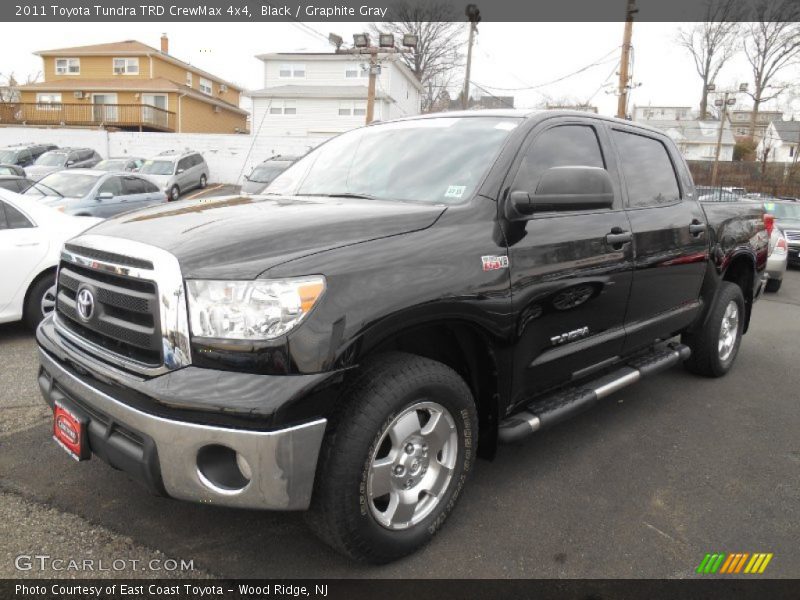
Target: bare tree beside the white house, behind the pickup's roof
438,55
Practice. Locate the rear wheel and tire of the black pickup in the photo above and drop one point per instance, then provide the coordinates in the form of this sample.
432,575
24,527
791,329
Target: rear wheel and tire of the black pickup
711,357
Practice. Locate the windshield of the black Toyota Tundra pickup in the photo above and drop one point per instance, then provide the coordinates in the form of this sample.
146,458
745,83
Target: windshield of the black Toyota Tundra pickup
437,160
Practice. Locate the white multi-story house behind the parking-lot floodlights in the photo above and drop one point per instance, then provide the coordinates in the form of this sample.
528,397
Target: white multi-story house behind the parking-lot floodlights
323,94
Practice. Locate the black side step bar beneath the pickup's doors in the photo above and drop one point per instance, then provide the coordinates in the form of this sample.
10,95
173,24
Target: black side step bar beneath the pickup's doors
567,403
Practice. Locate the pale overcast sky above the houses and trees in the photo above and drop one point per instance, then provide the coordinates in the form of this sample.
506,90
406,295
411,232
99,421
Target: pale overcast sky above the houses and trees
506,55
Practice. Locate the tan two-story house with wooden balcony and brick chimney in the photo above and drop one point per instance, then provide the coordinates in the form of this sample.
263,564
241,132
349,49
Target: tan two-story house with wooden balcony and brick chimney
128,86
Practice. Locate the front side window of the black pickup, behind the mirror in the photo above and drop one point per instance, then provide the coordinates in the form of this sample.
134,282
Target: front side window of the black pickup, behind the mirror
563,146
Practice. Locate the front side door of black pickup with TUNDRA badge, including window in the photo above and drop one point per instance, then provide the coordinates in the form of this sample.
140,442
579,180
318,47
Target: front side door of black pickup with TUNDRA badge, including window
570,277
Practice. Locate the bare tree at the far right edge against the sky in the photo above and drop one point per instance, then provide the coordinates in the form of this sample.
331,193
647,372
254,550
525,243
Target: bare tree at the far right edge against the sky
771,45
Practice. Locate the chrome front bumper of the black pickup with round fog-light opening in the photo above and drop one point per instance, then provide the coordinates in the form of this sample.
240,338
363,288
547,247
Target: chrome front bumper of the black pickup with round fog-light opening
282,463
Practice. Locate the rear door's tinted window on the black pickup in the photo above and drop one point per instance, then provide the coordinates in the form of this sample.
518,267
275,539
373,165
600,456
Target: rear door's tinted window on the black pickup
649,174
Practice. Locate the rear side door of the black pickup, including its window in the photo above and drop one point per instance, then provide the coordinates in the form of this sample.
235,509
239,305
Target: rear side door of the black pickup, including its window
670,237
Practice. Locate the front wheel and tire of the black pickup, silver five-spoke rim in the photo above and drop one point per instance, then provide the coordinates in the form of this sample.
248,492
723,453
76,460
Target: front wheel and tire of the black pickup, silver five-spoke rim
367,437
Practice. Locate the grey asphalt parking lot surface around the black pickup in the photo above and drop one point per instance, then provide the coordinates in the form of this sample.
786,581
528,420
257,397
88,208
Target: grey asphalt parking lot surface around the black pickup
643,485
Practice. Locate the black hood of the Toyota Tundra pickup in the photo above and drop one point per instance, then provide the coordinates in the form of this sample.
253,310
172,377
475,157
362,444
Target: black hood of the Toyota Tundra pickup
237,237
